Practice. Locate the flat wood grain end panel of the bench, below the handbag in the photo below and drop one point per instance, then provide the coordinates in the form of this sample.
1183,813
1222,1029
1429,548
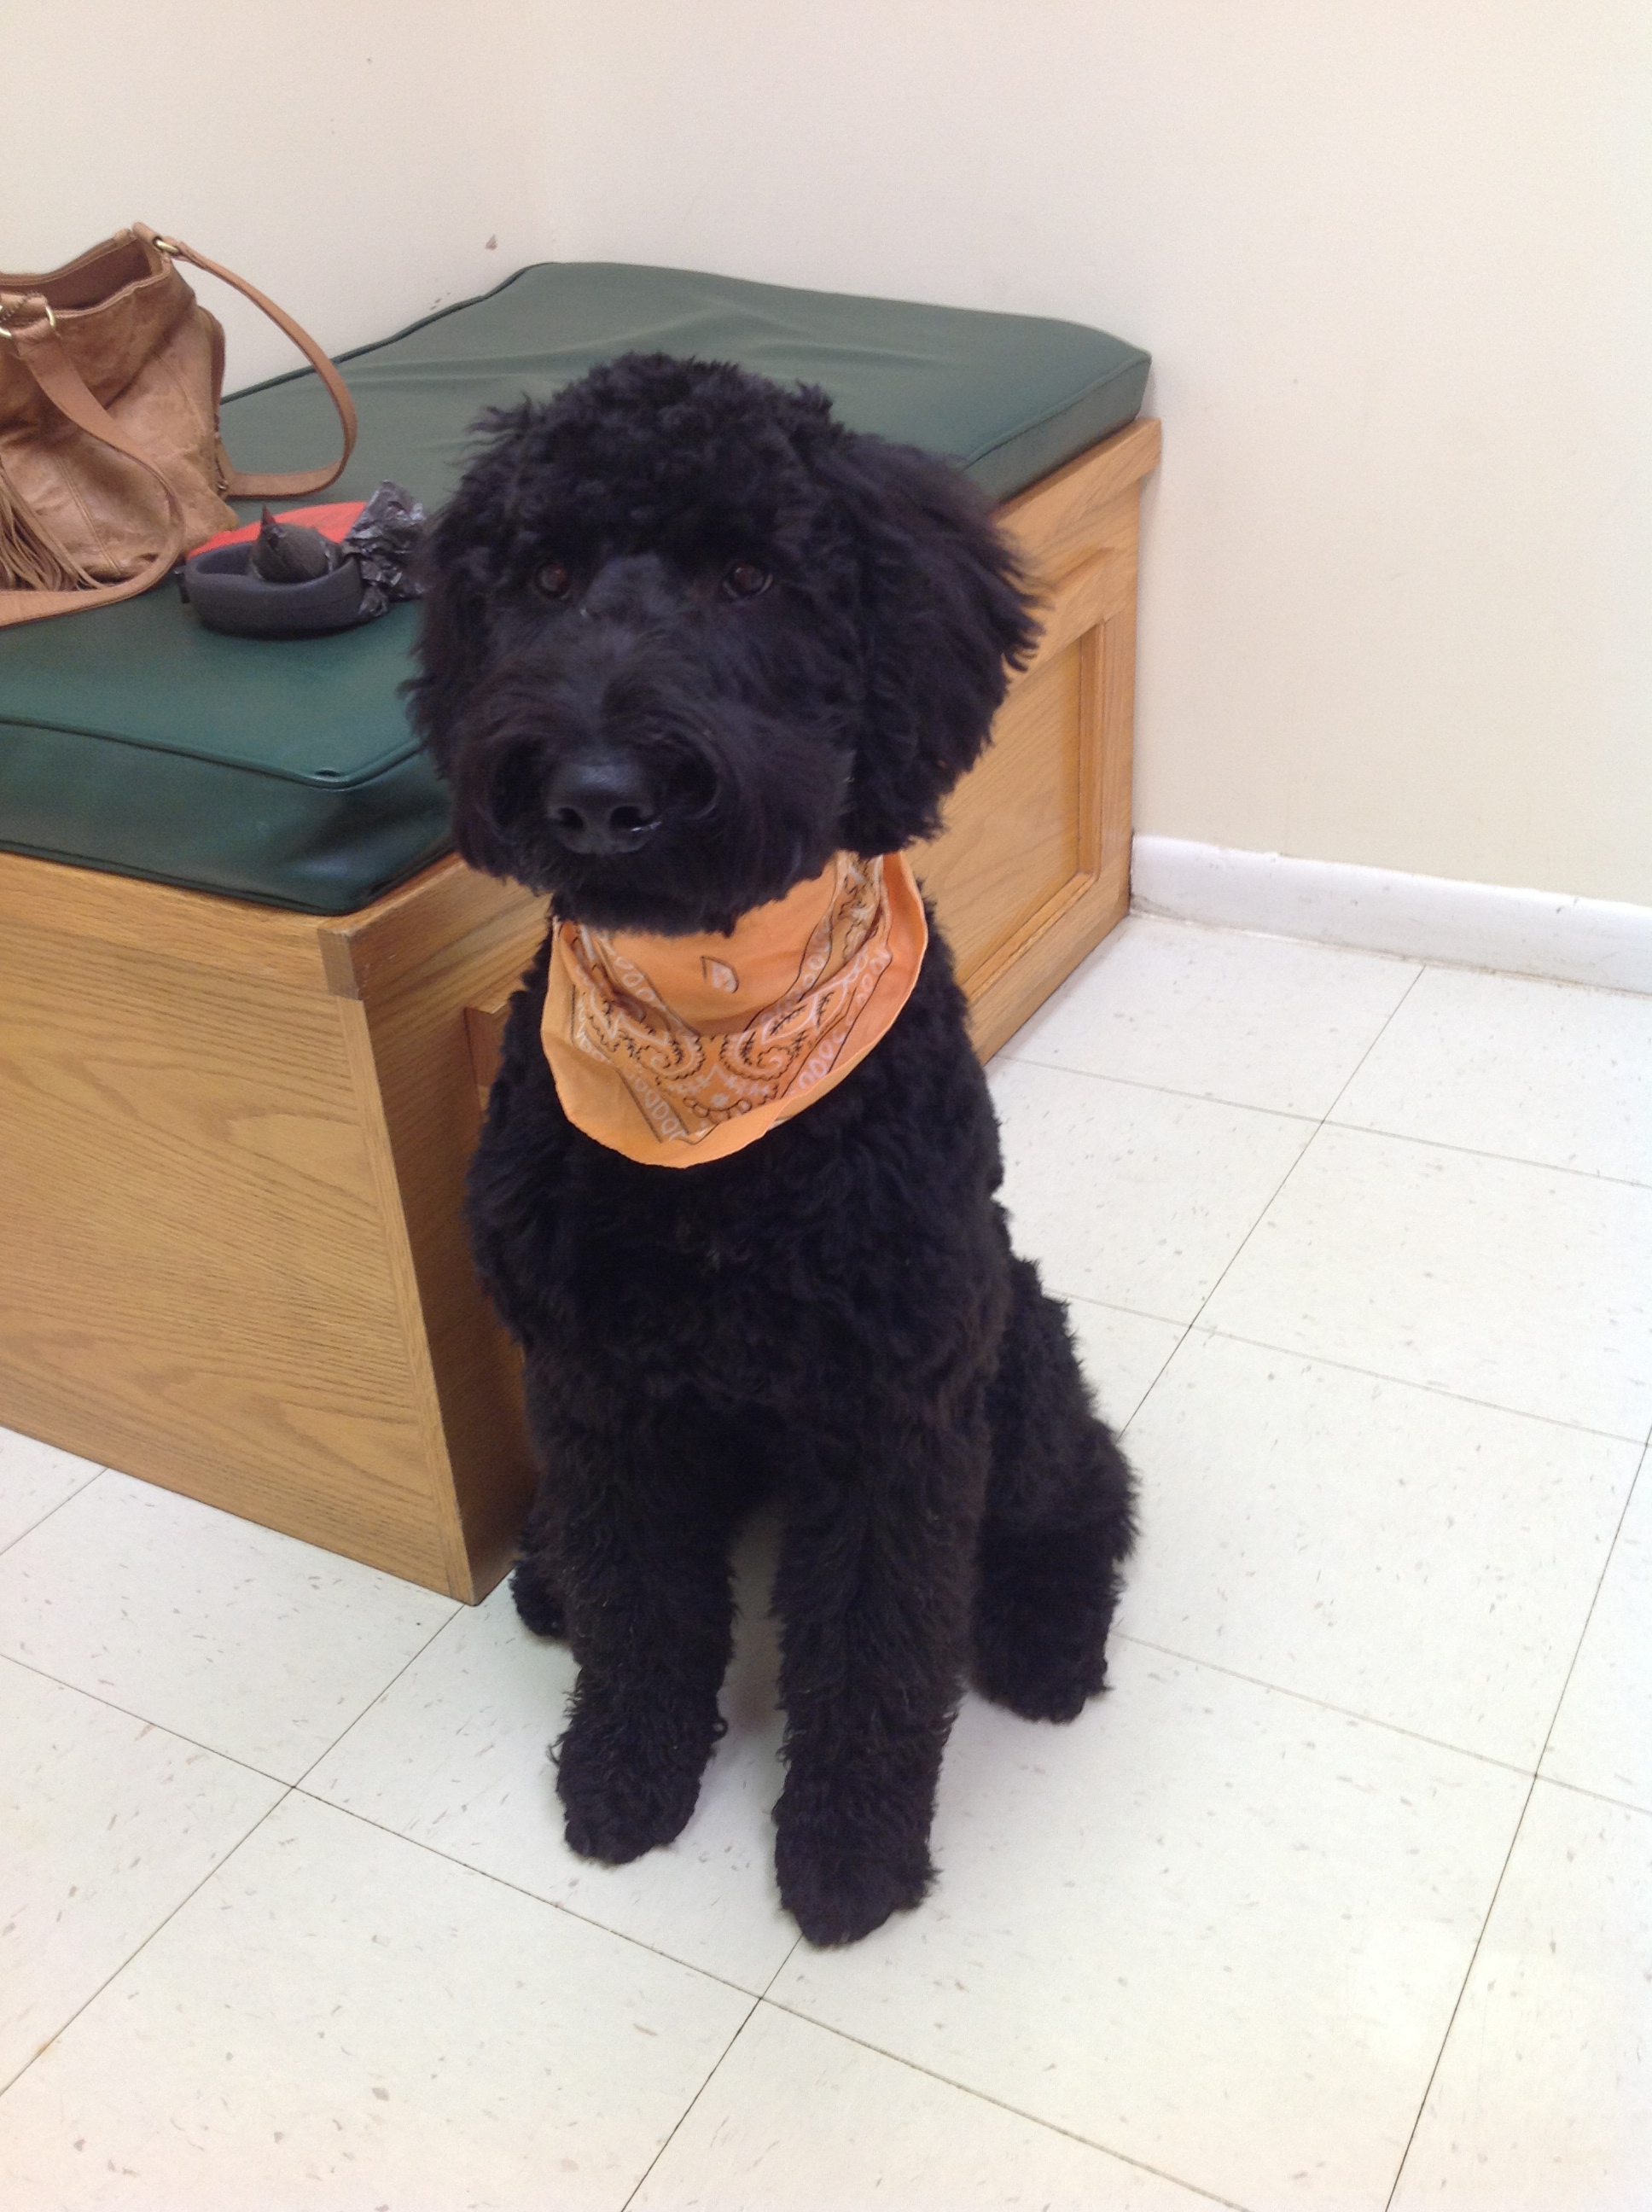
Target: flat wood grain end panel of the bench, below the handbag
194,1284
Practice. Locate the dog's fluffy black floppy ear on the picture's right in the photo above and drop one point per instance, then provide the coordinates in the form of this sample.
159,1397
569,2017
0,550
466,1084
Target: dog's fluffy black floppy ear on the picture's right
945,618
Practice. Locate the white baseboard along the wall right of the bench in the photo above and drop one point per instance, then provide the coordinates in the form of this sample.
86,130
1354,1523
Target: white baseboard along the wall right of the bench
1379,910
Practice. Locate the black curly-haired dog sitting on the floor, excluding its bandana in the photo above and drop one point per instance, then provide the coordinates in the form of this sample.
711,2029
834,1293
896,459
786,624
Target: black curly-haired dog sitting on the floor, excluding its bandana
687,638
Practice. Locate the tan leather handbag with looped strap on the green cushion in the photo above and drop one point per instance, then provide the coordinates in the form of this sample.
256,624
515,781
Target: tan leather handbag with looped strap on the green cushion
112,463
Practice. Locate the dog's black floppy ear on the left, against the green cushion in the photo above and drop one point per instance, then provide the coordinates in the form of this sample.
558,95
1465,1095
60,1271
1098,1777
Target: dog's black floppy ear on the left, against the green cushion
457,567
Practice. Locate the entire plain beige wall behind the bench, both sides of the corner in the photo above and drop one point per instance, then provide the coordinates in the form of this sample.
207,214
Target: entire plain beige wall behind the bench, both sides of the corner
1390,255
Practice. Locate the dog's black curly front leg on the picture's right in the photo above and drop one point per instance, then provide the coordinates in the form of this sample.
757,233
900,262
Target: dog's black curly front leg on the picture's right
875,1592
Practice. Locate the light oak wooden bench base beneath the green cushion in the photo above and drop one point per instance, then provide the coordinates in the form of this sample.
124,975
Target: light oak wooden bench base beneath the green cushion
236,1138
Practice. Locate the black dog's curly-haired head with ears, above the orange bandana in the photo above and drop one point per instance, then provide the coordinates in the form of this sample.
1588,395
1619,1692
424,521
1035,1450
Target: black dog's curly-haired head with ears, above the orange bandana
684,636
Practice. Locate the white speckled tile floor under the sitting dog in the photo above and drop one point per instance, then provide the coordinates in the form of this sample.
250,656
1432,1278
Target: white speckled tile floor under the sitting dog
1341,1899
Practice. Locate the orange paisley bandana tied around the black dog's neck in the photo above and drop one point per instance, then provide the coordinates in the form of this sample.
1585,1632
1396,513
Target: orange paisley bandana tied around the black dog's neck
687,1050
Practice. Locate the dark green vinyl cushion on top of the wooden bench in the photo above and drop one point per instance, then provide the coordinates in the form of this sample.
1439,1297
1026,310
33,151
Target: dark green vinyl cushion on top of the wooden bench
284,771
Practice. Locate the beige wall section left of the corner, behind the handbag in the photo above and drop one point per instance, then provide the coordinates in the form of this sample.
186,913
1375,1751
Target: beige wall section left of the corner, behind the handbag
351,158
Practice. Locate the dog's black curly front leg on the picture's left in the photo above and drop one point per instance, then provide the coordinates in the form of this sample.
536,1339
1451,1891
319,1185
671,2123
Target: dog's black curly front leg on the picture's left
649,1609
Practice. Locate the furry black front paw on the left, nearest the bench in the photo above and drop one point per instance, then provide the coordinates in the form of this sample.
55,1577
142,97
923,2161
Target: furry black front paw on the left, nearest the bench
625,1784
